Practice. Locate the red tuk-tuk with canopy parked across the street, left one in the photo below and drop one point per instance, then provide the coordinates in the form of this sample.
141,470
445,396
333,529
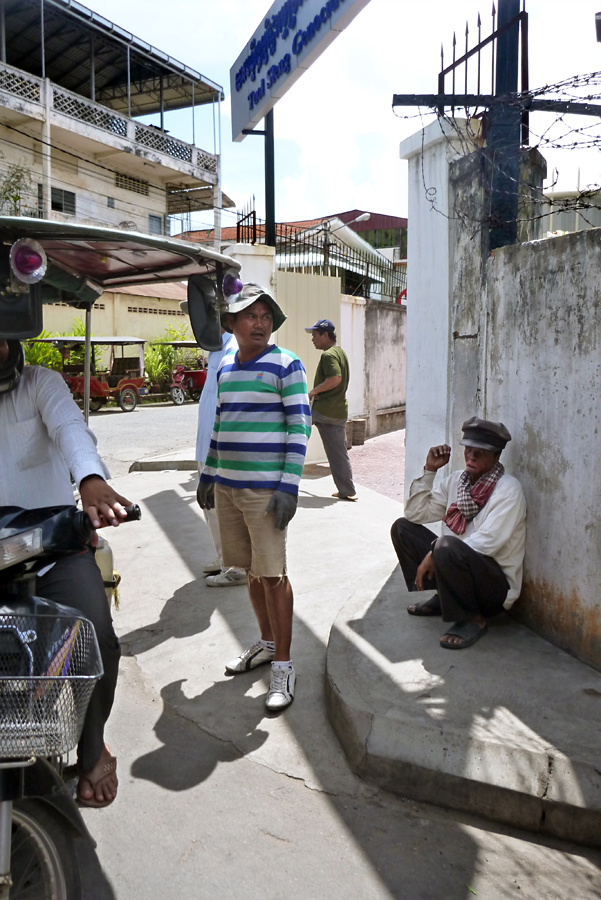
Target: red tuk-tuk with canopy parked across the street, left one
123,381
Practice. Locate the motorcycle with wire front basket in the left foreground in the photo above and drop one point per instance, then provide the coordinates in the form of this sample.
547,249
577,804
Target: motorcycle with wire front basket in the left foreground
49,665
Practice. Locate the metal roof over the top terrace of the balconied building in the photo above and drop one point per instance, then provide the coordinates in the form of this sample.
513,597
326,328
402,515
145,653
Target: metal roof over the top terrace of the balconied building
70,28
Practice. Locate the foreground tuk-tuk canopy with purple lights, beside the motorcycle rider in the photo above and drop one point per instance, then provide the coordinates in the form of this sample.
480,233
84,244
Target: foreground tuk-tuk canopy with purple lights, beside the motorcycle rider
44,261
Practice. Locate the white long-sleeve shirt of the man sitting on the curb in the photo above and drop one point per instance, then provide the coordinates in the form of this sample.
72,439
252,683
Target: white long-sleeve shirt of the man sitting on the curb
498,530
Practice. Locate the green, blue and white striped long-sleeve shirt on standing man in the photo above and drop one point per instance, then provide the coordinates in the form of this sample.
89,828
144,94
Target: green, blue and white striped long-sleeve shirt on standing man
262,422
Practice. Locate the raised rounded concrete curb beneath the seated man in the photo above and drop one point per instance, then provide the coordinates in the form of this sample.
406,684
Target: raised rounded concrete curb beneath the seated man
379,711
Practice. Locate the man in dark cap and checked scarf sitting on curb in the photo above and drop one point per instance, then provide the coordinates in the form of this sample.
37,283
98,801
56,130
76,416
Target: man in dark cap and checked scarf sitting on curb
476,565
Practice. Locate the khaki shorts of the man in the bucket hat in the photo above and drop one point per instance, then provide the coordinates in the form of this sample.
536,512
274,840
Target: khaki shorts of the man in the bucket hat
249,538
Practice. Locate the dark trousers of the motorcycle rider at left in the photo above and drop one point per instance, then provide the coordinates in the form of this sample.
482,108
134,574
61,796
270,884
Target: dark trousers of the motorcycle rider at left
76,581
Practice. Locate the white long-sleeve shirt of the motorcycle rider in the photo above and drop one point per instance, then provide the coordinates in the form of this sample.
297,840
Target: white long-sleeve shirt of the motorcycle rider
43,440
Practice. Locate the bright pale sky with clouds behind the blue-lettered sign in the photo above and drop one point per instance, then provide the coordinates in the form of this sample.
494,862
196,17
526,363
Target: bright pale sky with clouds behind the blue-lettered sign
336,135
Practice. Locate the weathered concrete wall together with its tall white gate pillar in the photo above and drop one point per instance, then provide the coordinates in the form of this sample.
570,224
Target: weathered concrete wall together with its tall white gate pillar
512,336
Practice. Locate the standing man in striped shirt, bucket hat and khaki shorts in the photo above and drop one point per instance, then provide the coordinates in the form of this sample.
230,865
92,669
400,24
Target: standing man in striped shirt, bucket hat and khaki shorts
252,473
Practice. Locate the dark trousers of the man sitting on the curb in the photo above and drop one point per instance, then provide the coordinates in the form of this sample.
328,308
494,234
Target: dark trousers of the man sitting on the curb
468,583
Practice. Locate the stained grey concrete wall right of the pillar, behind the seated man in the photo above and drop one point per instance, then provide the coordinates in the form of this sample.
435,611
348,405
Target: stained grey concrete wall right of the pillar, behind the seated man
543,373
